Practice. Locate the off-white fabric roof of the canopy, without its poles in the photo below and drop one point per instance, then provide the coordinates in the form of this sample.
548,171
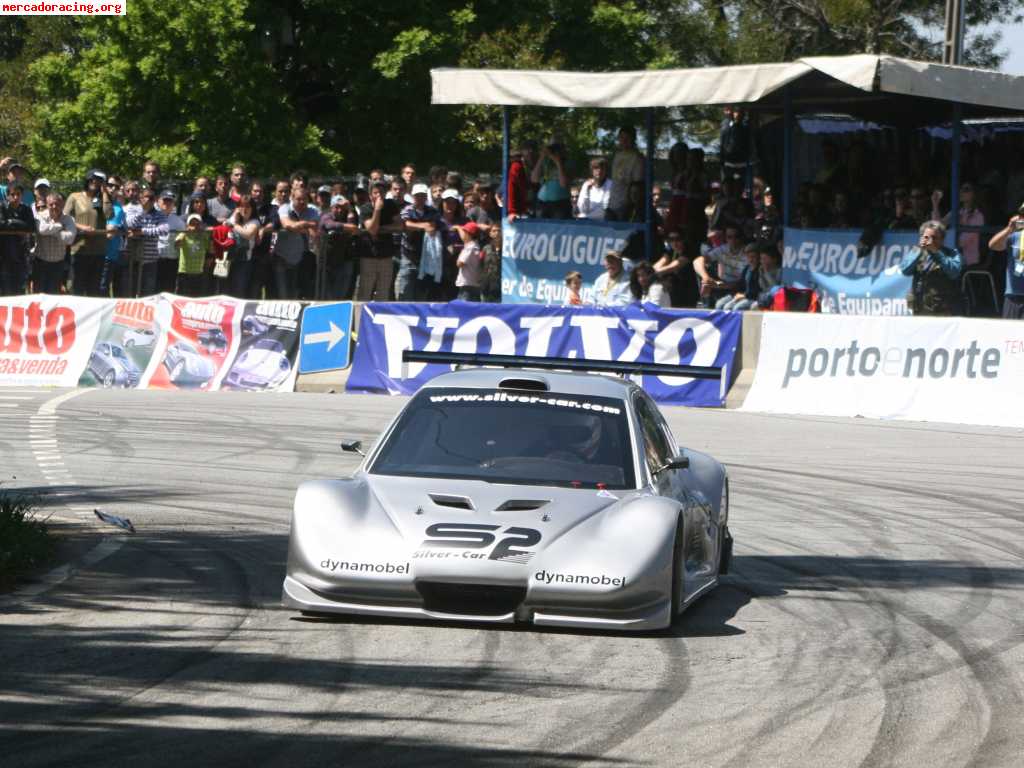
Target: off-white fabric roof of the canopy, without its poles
823,80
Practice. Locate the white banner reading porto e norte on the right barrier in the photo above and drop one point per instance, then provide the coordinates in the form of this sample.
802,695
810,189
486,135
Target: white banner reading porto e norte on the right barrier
958,370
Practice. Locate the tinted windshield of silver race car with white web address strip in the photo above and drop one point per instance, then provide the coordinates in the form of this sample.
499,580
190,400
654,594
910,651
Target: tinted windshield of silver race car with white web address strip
530,439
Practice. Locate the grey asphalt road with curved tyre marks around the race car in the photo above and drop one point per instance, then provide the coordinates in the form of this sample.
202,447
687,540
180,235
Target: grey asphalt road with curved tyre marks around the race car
874,617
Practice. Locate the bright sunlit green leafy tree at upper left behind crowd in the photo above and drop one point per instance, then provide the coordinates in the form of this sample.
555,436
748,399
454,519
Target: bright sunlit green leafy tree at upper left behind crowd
179,83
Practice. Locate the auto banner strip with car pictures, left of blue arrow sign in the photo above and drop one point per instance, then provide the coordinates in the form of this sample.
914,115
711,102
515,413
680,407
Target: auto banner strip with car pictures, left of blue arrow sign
164,343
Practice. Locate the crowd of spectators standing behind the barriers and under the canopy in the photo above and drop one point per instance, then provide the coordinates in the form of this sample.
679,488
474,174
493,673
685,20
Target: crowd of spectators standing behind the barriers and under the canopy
436,237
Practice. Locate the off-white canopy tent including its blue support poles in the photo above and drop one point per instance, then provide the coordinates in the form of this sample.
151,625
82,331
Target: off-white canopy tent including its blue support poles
884,90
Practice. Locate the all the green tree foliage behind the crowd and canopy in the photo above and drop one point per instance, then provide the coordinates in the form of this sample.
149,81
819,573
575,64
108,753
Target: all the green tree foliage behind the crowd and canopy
281,84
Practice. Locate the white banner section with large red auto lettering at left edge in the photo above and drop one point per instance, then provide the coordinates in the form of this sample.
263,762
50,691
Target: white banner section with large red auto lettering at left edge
47,340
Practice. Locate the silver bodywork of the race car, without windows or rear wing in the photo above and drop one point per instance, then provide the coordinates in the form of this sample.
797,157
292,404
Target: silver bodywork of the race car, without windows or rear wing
495,552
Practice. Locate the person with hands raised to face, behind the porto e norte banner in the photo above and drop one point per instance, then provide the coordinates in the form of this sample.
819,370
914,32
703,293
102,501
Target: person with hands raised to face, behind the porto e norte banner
936,272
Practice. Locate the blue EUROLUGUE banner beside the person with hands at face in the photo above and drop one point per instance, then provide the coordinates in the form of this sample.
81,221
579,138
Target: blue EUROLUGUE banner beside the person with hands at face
849,283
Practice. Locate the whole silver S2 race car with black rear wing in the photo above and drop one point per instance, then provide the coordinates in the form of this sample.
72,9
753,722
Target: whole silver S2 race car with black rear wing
523,495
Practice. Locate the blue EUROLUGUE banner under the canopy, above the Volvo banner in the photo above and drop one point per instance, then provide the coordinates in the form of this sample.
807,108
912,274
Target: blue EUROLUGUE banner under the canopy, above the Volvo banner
538,254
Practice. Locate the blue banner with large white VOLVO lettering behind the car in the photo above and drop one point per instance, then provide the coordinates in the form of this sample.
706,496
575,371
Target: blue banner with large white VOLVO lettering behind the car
632,334
